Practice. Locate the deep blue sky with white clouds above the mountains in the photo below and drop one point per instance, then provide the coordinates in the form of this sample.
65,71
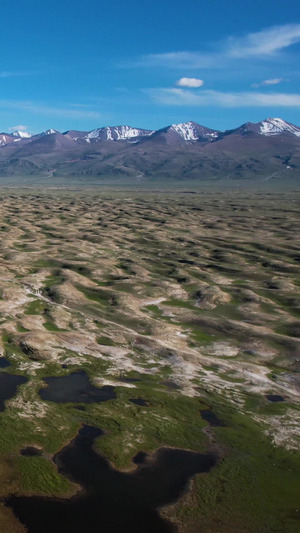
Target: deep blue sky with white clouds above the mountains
80,65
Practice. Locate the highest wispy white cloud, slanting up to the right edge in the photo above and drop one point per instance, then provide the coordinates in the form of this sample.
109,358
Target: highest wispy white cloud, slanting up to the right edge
260,45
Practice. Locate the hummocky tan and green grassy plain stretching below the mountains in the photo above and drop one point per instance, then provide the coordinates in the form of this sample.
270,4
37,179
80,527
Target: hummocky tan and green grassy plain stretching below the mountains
184,306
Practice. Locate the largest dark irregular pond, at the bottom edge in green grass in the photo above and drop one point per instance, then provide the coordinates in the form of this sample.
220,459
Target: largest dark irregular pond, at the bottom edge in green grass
113,501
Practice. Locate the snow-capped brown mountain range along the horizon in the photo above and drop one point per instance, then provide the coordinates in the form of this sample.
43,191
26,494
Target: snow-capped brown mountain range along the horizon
269,149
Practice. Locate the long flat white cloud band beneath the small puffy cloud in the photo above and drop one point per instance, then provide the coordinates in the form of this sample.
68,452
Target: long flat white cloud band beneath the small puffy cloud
181,97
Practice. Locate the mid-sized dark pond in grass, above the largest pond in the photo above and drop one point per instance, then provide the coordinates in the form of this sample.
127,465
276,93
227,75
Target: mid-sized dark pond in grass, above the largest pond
75,388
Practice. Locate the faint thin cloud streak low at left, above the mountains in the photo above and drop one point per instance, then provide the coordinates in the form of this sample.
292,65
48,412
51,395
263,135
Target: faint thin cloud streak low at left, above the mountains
49,110
